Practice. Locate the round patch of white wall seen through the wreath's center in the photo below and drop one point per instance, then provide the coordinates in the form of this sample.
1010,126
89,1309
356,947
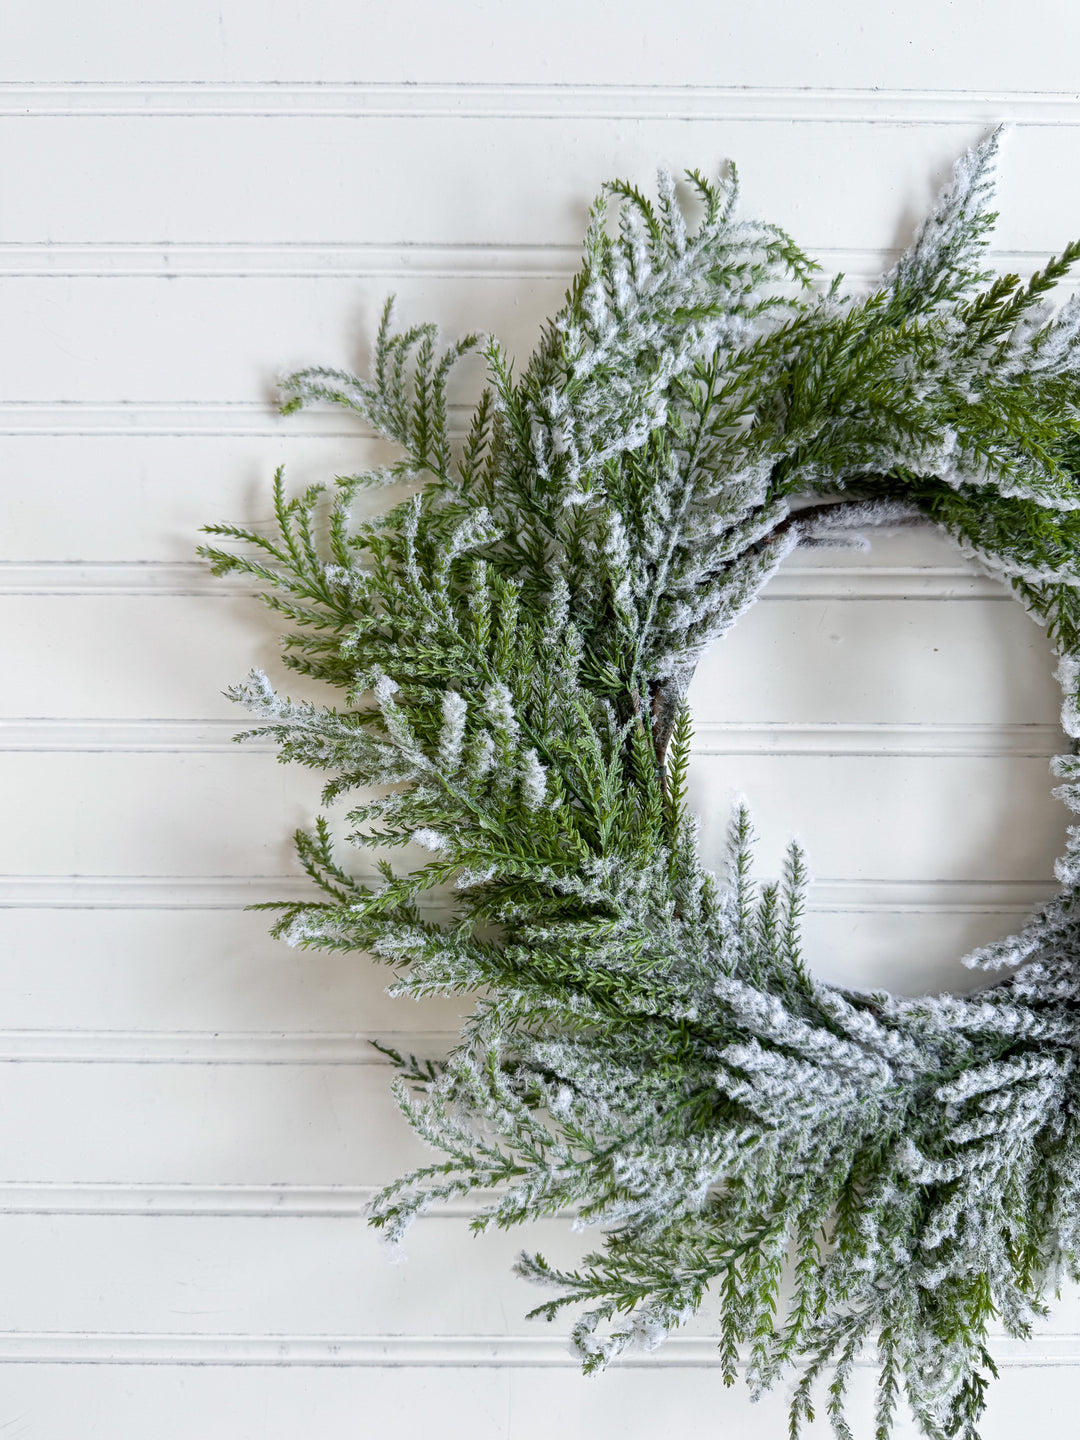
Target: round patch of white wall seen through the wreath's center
896,712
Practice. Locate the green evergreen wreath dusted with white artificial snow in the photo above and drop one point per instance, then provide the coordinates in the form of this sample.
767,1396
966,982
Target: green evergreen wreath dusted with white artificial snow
515,640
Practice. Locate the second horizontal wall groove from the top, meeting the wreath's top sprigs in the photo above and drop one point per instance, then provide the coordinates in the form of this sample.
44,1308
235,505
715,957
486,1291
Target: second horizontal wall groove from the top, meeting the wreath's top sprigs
240,260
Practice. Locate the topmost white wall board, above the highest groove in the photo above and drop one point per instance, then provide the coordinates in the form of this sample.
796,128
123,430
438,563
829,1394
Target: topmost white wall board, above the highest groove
924,44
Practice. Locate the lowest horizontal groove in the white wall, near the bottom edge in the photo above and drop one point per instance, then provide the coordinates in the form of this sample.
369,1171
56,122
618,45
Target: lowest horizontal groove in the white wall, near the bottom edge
490,1351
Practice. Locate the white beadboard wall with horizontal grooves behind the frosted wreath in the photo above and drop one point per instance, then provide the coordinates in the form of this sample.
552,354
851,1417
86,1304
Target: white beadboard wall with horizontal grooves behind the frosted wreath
197,201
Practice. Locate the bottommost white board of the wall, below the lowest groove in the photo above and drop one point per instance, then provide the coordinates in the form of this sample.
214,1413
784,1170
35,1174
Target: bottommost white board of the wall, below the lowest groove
528,1402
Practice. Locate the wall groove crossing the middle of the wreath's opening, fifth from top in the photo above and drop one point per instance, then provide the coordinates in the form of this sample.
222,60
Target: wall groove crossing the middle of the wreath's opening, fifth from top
928,739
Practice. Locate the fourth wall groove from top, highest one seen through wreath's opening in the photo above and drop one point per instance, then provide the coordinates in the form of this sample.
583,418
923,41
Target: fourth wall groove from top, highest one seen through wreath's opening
794,582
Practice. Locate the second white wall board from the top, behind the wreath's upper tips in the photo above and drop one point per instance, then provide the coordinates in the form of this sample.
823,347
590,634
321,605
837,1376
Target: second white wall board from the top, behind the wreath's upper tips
361,178
